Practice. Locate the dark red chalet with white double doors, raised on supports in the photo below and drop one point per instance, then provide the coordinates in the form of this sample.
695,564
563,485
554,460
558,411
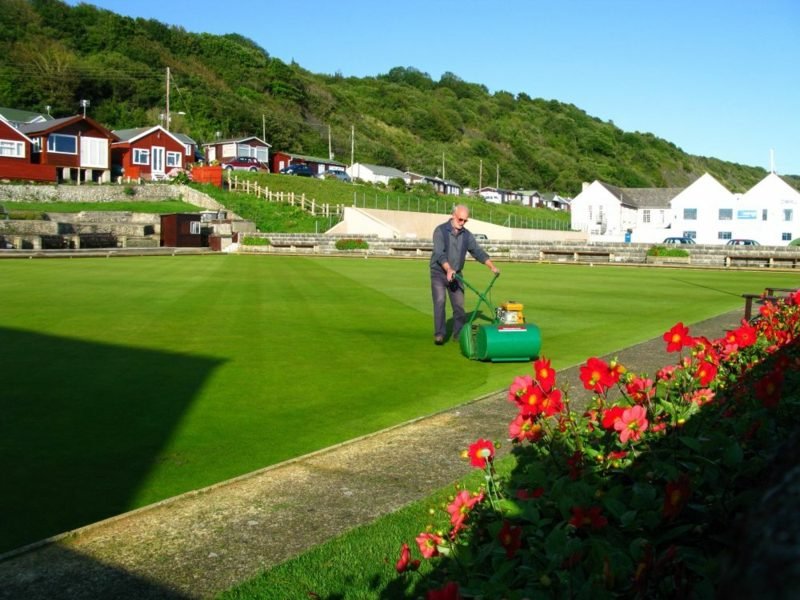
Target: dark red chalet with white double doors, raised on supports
78,147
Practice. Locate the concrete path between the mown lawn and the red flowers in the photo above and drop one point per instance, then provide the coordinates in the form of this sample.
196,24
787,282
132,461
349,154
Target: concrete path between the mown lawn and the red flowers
199,544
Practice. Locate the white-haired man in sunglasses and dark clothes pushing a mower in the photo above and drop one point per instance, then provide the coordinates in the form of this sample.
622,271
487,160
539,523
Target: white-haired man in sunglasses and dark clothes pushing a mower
451,242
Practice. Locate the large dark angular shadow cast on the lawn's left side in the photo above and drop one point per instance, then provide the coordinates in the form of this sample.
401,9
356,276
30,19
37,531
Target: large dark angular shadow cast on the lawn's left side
81,426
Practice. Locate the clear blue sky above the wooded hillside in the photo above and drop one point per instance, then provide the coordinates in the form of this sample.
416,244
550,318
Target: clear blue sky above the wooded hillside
717,78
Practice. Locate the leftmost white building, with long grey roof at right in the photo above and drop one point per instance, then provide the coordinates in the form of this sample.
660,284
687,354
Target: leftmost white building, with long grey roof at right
607,212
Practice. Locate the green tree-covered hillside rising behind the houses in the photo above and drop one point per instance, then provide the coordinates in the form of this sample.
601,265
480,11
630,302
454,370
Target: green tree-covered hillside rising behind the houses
52,54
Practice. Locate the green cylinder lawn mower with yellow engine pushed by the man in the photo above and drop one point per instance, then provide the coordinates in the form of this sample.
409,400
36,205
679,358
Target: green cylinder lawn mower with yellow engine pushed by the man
508,338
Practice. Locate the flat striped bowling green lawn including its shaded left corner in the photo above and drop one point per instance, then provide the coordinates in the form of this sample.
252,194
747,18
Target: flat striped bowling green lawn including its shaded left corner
127,381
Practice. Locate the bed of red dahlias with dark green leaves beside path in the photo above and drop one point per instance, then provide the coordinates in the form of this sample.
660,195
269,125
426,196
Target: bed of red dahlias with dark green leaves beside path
635,496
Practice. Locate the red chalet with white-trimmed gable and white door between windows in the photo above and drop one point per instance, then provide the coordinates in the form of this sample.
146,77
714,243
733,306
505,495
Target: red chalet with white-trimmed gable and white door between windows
148,152
